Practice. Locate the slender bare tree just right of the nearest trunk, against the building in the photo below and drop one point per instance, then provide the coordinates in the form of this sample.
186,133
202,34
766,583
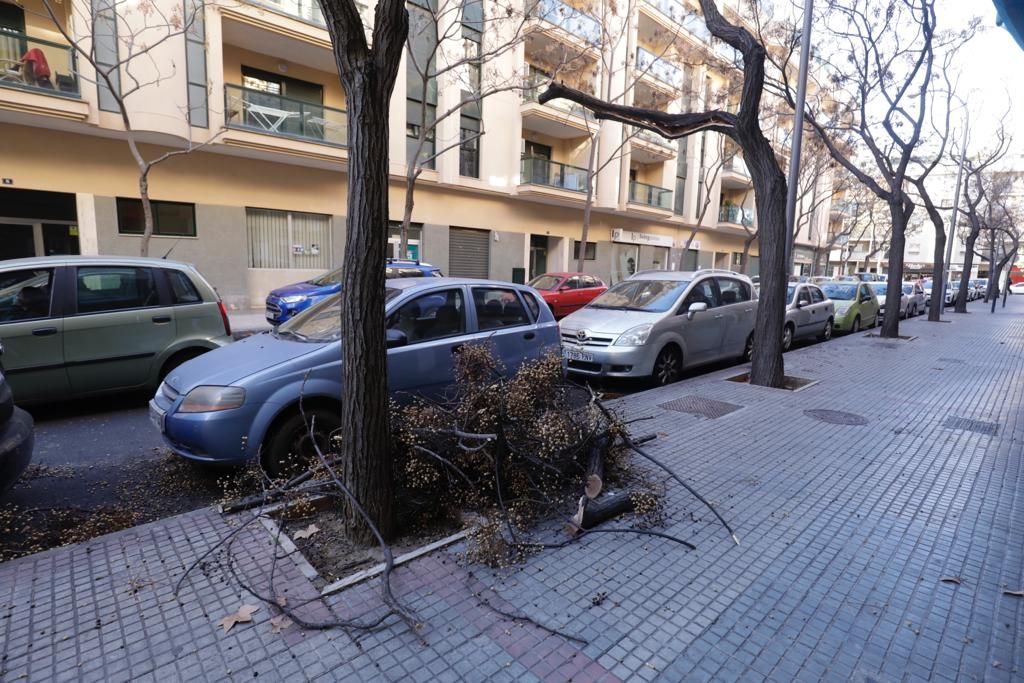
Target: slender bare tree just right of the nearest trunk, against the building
446,46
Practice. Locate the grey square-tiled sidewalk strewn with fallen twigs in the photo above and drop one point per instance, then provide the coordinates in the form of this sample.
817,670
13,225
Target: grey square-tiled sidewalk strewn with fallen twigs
847,532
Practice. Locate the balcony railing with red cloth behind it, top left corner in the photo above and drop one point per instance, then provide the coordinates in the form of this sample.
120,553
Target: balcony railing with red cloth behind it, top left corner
38,65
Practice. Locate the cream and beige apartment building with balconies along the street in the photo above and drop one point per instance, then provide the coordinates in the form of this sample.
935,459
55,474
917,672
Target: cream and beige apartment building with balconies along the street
263,201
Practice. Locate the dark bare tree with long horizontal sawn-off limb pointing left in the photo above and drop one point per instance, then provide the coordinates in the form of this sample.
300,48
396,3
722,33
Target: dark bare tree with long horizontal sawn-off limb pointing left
770,183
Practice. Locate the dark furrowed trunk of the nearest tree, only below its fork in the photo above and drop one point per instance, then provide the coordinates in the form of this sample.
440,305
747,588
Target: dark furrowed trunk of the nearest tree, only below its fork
365,445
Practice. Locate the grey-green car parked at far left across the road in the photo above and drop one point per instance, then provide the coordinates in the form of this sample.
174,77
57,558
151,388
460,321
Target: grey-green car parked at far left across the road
77,326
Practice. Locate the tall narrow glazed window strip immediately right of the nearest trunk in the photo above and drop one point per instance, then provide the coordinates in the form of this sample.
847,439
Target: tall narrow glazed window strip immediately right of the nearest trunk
421,90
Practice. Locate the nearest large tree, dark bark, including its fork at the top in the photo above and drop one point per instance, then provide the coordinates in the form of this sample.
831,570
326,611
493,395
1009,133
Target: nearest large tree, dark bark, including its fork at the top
368,71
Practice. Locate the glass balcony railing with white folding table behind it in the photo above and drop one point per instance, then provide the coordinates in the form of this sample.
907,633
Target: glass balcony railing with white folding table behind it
268,113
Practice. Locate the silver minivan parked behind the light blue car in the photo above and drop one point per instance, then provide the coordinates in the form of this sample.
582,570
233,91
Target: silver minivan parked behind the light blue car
658,323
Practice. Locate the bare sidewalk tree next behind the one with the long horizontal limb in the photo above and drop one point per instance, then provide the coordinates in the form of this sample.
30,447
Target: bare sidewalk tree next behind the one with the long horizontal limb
880,62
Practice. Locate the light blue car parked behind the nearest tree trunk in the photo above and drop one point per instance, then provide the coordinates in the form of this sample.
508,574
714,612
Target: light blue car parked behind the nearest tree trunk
230,405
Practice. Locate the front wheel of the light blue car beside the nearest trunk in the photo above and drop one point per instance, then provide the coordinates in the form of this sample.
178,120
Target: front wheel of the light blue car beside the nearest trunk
291,448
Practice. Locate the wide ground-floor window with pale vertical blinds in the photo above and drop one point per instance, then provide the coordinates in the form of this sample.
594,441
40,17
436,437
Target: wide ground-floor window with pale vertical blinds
288,240
